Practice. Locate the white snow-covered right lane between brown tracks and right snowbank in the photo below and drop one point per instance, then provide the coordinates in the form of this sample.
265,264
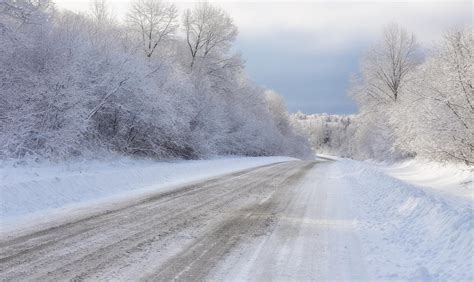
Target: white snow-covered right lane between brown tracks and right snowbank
315,238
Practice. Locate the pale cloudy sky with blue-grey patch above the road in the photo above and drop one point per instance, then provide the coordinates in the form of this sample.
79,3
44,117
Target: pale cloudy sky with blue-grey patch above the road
308,50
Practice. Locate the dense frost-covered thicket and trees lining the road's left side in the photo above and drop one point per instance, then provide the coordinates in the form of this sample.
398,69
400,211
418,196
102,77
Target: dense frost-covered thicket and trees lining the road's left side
159,84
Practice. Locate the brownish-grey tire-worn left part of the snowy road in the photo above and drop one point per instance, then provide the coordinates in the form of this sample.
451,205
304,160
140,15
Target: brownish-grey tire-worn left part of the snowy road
178,235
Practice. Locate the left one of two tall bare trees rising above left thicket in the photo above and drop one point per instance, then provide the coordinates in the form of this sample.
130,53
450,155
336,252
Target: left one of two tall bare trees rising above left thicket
154,21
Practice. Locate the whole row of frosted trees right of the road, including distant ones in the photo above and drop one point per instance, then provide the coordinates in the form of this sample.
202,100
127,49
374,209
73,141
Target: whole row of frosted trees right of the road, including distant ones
411,103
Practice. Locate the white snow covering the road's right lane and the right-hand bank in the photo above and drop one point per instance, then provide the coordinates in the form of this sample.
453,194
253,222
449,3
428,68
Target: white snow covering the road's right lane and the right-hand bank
351,220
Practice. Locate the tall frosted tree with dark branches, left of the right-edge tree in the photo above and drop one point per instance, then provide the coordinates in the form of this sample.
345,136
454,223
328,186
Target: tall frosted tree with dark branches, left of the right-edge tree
385,71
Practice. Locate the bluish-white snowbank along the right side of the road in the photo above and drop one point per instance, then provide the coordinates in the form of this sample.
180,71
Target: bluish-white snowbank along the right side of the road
409,231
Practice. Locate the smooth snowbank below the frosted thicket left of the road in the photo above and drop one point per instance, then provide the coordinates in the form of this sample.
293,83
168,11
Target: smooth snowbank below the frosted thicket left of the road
33,189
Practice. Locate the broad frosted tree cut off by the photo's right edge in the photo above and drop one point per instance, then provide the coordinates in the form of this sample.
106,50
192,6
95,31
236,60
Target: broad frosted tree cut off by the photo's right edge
436,119
